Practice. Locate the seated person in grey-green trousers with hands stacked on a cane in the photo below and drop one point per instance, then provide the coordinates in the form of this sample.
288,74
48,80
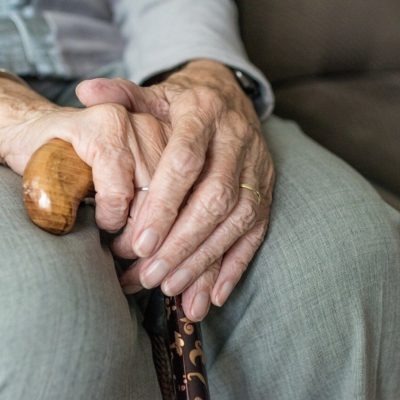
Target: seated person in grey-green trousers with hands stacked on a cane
308,310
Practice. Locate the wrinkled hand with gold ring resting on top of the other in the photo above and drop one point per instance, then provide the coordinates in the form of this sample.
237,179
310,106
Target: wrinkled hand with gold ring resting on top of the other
197,230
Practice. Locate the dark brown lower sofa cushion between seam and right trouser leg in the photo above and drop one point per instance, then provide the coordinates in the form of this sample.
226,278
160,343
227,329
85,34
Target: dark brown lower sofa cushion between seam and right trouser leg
357,117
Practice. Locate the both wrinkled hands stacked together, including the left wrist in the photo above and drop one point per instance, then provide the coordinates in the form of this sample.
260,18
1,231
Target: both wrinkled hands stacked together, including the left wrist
192,139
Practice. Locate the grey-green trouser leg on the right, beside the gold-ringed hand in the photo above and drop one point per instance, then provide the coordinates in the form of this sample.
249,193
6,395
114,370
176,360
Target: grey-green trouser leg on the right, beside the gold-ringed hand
314,315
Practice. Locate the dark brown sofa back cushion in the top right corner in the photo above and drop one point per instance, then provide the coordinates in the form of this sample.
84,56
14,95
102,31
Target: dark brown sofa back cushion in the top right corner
292,38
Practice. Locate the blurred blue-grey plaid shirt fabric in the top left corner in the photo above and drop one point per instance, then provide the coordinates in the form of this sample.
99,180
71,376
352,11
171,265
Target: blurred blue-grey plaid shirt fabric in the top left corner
38,39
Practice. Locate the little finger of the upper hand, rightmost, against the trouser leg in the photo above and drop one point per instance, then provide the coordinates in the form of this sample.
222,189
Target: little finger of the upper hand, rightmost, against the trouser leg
235,263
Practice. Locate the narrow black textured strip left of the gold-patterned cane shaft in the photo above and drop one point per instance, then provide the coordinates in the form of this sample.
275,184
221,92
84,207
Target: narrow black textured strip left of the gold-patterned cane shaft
162,364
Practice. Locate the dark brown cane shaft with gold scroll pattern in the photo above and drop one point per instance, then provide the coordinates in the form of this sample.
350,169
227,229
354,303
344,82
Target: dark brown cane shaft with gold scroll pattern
187,358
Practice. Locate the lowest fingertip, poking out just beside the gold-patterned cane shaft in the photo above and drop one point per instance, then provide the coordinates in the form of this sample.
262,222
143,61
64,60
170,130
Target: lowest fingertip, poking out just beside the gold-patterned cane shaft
196,300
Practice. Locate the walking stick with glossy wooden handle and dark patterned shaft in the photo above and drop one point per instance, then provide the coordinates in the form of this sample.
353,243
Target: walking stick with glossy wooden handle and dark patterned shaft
55,181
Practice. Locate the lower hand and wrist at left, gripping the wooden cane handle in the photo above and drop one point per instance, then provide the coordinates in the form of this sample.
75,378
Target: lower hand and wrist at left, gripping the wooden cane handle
123,149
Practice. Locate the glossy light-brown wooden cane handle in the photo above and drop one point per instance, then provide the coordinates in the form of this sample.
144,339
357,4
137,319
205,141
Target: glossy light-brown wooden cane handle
54,183
